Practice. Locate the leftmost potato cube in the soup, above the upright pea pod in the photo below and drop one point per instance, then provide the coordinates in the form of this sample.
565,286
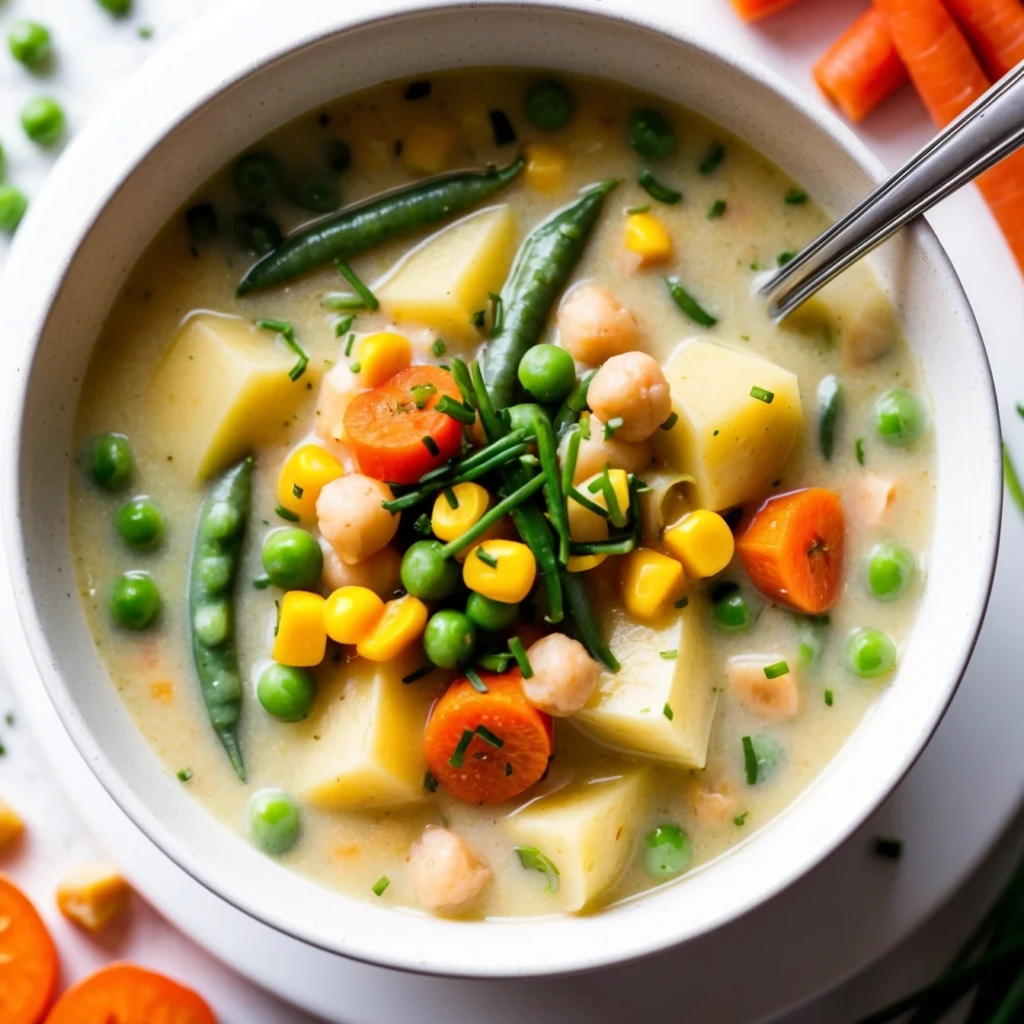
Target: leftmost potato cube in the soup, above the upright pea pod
222,391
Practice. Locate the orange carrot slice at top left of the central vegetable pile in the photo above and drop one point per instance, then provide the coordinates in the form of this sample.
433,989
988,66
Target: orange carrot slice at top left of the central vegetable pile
395,441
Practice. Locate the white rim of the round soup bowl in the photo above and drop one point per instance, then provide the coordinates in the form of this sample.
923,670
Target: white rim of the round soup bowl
641,15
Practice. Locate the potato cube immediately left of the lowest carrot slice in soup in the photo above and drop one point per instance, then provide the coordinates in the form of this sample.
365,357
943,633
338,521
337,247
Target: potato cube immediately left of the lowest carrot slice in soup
370,751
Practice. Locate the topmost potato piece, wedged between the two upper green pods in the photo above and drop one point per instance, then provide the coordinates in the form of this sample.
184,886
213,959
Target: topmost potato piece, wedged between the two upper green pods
445,281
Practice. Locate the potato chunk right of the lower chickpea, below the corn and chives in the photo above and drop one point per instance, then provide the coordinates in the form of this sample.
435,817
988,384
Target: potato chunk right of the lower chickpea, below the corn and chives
628,711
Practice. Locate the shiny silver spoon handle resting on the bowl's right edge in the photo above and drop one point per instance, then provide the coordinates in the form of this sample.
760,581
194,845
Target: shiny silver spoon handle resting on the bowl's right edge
987,133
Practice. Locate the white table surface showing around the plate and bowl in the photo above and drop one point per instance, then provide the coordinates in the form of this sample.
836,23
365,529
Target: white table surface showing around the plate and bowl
95,56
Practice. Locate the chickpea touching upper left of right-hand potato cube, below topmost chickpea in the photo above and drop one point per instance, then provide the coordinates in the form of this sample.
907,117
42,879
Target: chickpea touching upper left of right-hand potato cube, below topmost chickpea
631,388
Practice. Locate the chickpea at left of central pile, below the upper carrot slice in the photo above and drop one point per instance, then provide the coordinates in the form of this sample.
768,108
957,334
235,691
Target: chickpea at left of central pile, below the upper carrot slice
352,519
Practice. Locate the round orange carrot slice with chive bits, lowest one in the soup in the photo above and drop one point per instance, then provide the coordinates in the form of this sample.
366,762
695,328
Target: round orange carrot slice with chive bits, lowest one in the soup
487,748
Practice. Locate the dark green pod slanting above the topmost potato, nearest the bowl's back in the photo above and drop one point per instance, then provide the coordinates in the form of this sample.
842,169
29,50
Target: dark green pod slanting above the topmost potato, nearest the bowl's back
353,232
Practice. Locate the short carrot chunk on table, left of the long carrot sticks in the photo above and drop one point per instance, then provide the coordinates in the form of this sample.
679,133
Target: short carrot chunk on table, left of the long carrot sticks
863,67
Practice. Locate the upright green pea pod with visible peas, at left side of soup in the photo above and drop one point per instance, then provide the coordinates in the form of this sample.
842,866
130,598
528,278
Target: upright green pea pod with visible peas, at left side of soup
211,613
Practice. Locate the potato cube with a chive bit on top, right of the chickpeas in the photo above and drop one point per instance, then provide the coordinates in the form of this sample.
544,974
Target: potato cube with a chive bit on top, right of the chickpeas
733,444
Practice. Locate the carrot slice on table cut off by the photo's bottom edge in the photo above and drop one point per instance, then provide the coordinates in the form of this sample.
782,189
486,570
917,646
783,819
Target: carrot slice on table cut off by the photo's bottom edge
123,994
